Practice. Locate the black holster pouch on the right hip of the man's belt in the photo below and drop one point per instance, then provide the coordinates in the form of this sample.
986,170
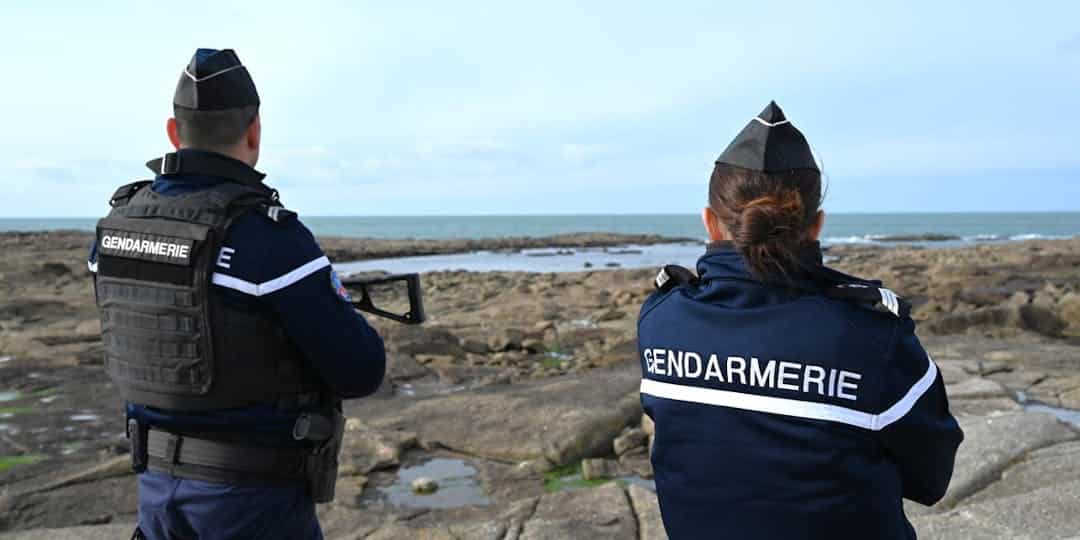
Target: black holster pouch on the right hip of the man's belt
321,466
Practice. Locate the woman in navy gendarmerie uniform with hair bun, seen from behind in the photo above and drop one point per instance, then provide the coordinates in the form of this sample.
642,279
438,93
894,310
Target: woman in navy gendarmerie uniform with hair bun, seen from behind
791,401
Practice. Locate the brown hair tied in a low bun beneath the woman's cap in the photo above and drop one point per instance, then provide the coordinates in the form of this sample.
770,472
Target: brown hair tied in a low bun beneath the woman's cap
769,215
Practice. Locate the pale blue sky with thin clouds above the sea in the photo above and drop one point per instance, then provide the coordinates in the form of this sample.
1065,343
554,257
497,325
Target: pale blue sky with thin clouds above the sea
557,107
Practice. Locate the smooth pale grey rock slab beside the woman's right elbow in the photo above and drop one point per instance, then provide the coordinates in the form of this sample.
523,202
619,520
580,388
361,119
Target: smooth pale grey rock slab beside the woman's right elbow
993,443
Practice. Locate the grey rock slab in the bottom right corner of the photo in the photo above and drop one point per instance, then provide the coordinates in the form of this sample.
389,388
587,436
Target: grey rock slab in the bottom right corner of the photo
1047,514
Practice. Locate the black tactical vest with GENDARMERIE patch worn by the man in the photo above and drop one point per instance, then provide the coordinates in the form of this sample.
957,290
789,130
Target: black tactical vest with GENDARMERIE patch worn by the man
169,342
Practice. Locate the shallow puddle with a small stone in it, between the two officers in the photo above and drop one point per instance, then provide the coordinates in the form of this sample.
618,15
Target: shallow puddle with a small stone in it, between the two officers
457,485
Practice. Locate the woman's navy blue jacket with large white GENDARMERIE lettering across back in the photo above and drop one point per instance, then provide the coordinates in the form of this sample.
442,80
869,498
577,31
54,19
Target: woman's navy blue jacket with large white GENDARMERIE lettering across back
784,414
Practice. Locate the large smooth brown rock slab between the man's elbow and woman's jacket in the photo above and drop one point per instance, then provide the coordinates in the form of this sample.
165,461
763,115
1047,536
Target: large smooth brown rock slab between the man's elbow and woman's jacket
556,421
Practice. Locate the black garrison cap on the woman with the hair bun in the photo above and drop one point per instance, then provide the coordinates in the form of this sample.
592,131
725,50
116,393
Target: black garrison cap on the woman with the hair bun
769,144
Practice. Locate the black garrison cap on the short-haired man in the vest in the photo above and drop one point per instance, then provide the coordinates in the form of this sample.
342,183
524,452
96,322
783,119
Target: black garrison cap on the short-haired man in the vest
215,80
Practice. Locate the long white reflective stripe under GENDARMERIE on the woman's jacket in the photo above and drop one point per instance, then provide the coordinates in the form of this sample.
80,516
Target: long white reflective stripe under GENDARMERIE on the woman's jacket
794,408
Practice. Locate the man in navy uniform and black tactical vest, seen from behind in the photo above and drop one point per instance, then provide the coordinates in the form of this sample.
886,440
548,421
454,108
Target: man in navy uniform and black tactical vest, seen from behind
226,329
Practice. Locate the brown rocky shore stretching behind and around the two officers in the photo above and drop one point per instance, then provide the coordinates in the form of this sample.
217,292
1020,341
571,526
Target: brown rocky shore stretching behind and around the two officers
519,397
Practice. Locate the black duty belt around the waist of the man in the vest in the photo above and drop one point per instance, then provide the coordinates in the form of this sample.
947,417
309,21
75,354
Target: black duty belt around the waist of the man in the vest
195,458
